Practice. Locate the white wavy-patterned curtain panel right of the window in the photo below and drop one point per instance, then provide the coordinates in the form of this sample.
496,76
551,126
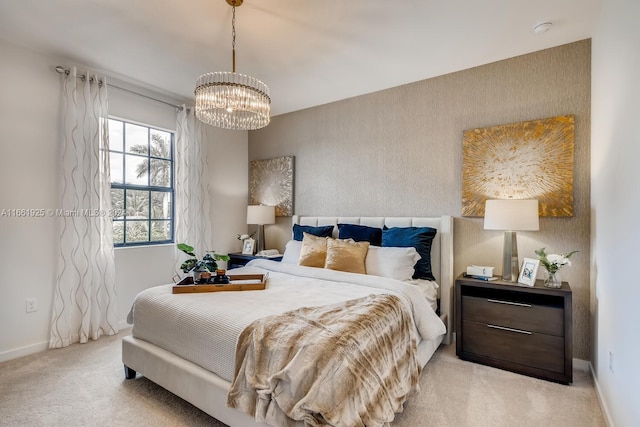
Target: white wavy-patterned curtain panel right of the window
192,201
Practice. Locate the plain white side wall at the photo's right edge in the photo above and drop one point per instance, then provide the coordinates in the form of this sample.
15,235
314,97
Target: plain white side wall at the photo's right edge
615,204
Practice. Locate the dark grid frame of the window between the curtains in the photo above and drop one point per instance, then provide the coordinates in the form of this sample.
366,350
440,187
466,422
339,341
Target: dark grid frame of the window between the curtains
149,188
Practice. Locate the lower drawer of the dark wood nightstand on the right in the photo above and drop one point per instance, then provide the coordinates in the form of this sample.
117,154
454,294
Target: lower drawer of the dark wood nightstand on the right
534,350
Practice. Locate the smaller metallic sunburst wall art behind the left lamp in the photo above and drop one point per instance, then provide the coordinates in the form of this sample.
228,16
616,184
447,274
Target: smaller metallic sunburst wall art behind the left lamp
271,183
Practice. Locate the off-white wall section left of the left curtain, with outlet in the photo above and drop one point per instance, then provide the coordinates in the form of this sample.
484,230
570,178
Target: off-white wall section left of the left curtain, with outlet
29,97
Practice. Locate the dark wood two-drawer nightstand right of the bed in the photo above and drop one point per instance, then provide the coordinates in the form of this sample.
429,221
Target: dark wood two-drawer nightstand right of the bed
524,329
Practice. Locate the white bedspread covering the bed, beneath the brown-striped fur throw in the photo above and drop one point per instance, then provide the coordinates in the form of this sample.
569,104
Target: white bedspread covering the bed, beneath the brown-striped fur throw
204,328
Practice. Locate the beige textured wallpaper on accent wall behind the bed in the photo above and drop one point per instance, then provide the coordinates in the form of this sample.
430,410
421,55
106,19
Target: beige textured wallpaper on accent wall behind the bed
398,152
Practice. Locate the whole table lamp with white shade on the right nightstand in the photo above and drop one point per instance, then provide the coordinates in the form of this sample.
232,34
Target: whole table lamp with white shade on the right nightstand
511,215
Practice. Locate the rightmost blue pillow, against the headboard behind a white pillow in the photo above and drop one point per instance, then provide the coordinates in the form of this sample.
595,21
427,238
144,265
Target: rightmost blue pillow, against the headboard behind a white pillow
420,238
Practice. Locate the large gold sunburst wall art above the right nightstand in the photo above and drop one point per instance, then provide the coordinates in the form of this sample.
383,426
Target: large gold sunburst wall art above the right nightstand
526,160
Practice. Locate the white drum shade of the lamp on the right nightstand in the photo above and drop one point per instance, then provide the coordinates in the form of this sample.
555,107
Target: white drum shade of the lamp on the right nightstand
511,215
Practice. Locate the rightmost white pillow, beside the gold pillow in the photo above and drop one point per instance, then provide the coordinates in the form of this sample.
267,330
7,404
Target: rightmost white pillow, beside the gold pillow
391,262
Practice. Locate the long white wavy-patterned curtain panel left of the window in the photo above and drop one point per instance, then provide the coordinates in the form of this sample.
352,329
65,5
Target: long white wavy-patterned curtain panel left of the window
84,305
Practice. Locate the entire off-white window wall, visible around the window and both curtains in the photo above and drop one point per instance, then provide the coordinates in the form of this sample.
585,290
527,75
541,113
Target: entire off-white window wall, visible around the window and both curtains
29,117
